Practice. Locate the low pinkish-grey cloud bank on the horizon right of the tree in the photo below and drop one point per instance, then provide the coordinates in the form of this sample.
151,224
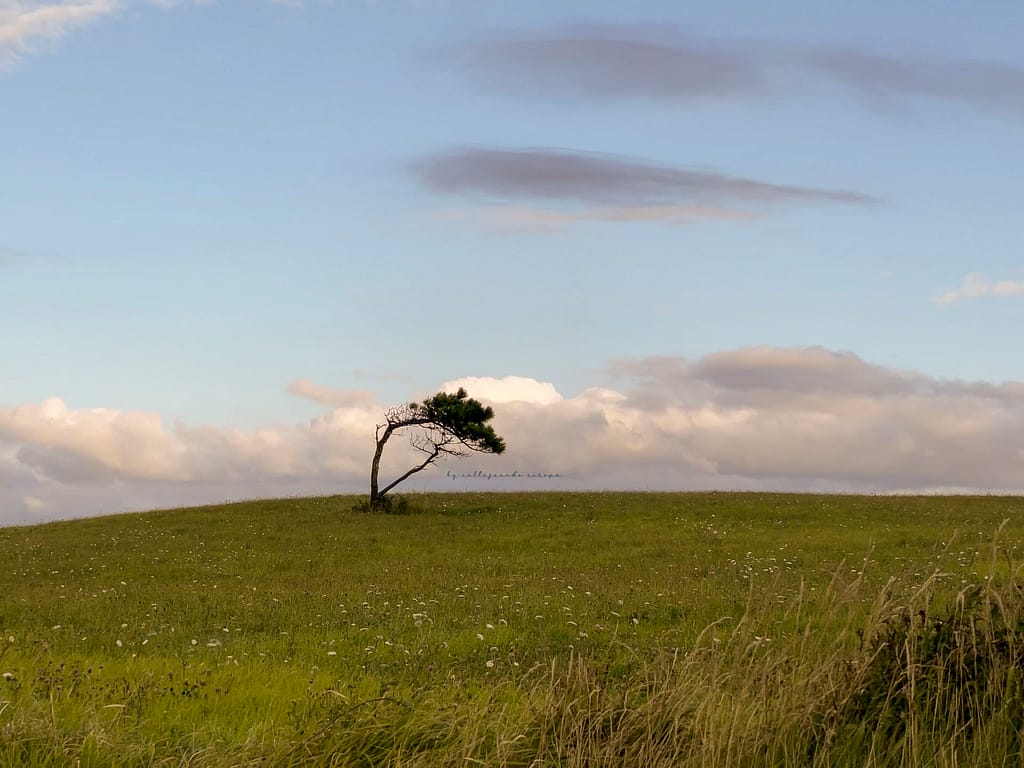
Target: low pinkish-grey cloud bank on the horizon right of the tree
769,418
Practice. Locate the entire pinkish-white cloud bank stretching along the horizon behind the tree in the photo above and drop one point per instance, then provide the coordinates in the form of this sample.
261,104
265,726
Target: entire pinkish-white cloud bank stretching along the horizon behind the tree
758,418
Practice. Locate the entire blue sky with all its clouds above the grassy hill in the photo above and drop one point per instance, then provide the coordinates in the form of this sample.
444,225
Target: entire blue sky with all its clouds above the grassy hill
728,245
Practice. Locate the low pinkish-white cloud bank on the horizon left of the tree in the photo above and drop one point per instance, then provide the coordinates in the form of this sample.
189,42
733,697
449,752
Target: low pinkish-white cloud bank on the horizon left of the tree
87,461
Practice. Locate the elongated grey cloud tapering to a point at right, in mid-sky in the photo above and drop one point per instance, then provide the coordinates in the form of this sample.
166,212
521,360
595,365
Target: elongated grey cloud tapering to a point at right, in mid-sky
590,180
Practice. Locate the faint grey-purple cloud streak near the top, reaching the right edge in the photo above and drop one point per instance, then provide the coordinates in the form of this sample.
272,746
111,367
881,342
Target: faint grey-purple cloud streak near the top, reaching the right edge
664,65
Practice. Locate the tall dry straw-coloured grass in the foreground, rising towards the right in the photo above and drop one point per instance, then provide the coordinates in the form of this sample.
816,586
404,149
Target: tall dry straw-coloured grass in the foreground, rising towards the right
899,687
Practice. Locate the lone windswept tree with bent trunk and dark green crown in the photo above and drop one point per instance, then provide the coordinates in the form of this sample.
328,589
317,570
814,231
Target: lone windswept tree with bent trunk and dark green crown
443,425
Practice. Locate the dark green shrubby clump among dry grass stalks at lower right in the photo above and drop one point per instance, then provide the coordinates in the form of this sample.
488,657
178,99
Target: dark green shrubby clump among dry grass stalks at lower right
955,672
